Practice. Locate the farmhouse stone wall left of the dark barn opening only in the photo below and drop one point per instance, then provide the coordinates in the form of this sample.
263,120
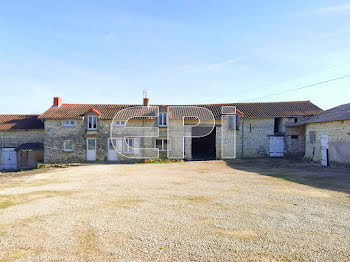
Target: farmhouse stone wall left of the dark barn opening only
56,133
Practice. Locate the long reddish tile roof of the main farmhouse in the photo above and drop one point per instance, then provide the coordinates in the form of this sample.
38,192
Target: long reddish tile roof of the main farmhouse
253,110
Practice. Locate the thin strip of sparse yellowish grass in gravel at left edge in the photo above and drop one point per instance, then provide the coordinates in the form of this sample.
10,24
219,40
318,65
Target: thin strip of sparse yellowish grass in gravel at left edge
18,199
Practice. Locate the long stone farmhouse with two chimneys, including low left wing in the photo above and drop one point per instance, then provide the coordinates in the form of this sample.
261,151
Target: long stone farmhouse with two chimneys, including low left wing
82,132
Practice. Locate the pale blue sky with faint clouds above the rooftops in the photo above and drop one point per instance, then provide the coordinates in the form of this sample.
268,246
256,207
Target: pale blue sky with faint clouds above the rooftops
183,52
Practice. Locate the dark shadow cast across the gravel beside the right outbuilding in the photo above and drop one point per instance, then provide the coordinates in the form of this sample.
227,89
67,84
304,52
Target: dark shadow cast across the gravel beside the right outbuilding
337,179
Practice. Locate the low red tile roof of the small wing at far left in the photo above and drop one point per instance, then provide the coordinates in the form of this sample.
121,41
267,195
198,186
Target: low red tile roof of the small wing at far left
19,122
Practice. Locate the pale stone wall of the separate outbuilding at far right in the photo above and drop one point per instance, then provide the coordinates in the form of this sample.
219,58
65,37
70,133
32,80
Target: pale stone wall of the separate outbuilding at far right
338,134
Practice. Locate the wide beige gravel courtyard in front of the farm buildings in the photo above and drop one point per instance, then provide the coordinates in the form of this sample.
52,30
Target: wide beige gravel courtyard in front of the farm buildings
191,211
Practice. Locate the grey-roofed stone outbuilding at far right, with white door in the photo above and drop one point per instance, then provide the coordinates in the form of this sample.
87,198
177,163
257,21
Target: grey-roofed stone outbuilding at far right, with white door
328,136
